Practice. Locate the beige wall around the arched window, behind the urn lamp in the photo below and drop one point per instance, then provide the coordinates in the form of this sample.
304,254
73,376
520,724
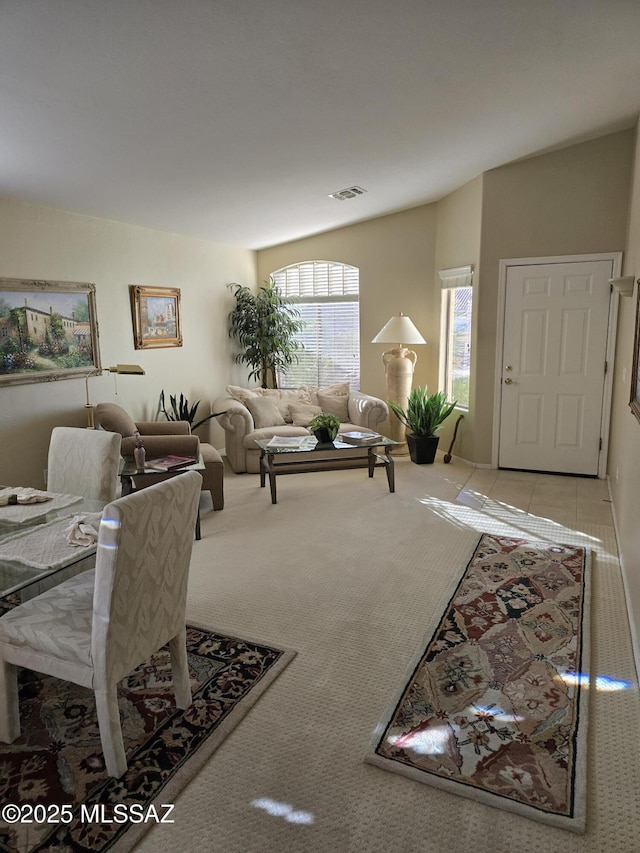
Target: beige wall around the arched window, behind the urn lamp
396,258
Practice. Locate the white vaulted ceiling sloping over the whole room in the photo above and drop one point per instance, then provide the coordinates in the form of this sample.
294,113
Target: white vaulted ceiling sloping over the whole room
233,120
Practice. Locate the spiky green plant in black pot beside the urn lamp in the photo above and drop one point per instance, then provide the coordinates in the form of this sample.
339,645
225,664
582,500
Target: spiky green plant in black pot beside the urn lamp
423,416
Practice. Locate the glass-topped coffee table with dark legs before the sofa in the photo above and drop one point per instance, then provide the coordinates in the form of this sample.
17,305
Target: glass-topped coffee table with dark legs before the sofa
309,456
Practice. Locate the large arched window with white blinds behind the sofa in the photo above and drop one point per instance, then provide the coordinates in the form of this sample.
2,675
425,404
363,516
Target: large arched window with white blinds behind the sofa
327,296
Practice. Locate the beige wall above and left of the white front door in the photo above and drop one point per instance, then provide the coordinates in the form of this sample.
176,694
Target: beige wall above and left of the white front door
572,201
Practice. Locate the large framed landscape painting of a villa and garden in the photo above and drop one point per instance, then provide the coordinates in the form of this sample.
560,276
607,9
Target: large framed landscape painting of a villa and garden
48,330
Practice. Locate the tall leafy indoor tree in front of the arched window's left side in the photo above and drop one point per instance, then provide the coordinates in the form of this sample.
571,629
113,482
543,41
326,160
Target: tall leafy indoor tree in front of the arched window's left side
264,324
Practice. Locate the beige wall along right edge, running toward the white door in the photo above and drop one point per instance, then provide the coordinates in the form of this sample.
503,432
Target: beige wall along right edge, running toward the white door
624,440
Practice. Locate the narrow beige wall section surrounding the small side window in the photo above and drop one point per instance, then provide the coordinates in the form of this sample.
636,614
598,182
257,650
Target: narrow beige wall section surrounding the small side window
458,244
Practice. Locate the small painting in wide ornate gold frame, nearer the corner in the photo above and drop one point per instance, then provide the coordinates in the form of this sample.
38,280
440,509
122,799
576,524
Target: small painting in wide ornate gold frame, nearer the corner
156,316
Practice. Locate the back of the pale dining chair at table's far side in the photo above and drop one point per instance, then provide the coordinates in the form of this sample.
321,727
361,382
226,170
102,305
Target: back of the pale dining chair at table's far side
83,462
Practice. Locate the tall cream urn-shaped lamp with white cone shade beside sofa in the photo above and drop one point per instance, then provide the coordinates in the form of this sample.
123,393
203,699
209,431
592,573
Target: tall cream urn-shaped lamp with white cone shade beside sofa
399,363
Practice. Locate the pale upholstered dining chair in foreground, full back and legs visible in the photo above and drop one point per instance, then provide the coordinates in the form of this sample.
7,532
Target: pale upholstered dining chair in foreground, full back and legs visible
97,627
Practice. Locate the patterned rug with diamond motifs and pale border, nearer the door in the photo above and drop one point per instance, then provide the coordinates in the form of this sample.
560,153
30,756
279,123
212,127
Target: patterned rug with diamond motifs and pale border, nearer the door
495,707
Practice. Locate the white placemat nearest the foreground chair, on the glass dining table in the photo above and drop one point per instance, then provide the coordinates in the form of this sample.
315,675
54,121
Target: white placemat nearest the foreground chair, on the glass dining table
47,546
